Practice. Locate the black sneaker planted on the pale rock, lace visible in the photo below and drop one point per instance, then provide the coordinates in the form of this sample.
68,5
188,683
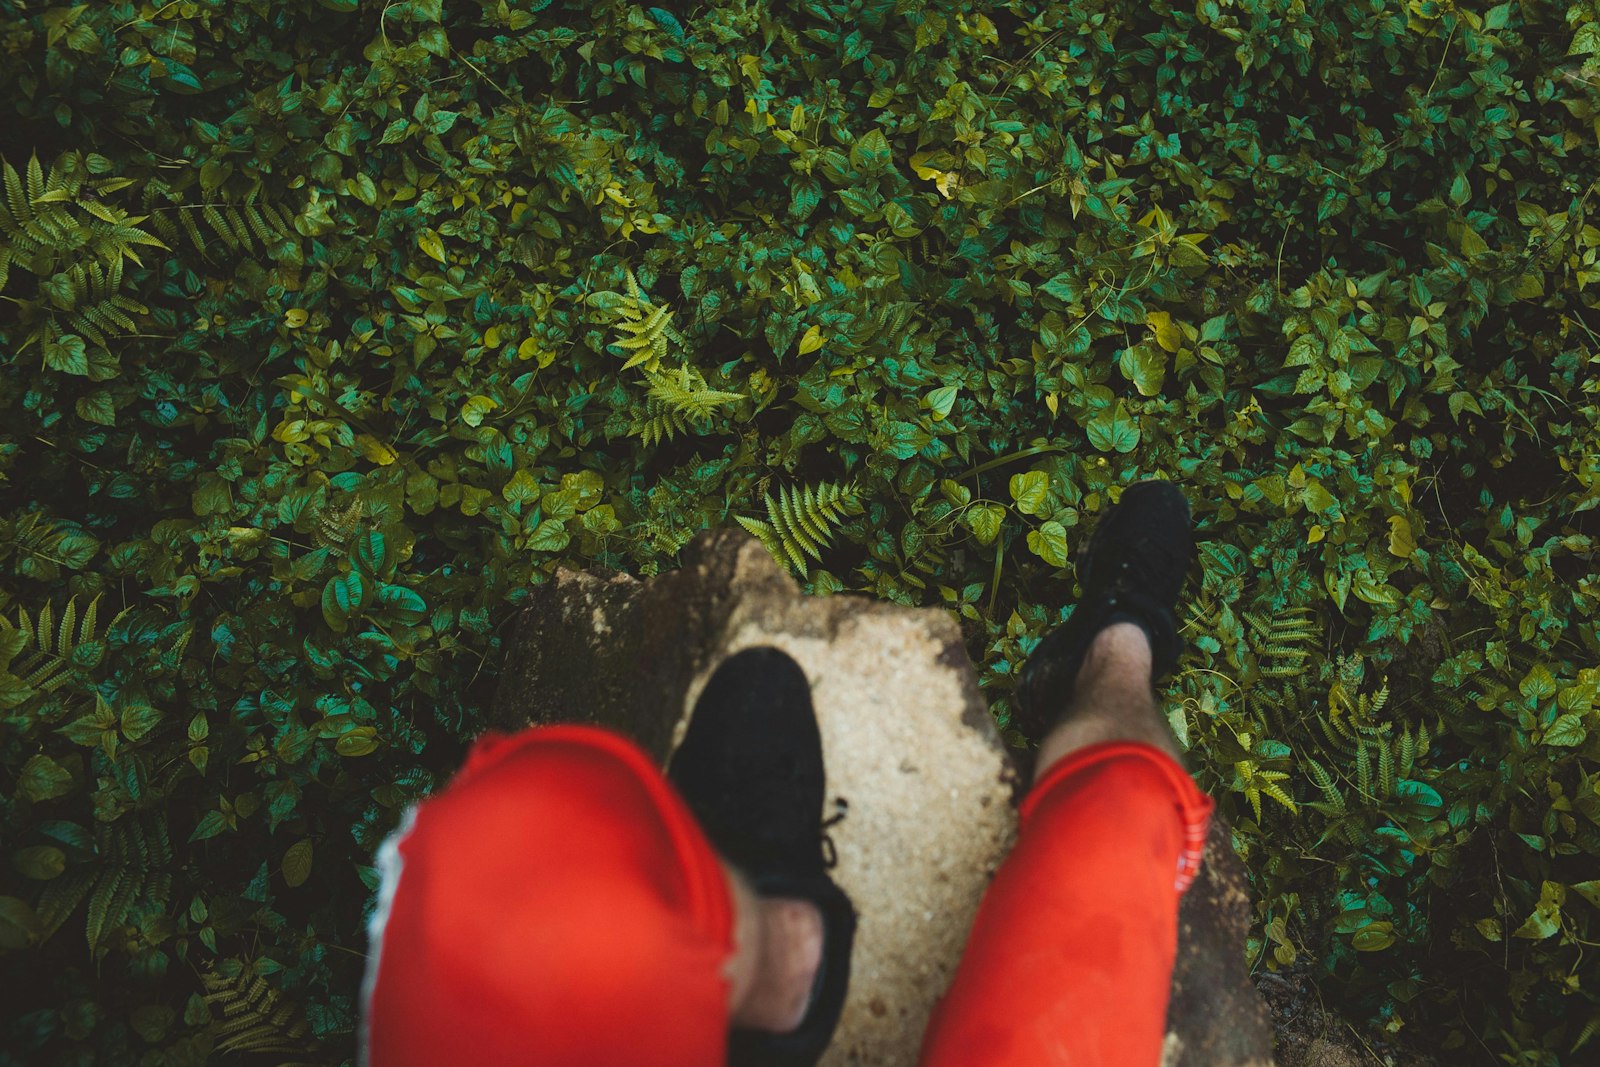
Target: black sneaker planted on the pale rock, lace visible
751,770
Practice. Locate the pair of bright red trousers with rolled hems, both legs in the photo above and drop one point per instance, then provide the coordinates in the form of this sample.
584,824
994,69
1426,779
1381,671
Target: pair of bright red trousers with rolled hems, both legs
559,906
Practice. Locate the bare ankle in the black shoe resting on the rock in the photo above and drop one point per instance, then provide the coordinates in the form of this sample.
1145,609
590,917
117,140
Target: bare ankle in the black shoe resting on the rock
778,946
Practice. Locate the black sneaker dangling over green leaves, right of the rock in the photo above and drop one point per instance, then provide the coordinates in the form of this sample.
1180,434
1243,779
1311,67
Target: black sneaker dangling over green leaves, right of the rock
1132,572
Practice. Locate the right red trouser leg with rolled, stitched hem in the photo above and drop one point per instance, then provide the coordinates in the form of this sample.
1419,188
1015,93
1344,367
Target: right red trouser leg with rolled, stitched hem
1071,956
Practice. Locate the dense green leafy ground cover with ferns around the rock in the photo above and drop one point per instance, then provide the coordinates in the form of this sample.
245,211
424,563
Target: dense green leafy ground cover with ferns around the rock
327,329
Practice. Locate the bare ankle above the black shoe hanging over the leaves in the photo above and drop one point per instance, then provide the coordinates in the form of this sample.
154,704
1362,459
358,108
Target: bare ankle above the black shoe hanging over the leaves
1111,701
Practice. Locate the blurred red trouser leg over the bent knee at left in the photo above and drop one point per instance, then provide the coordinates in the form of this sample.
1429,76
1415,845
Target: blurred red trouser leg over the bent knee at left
556,906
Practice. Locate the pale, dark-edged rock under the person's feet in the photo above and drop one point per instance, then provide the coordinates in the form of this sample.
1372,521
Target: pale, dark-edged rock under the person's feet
913,761
